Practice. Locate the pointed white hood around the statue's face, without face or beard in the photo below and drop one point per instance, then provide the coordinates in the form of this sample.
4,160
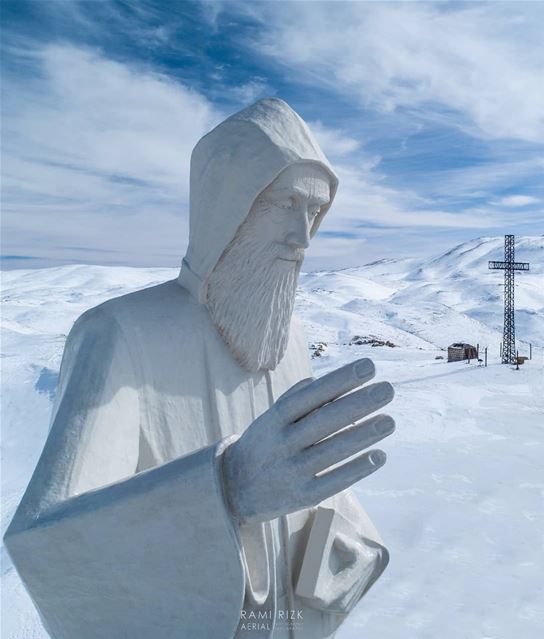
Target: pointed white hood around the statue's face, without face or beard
230,167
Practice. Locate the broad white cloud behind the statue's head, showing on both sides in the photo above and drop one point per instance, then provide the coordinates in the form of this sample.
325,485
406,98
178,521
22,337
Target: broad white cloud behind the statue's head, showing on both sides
96,167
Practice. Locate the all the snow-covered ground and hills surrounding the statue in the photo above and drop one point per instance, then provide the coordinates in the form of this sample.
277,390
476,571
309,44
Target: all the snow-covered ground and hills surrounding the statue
461,501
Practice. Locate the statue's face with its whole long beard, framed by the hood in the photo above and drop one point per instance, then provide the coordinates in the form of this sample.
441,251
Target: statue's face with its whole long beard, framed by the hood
251,291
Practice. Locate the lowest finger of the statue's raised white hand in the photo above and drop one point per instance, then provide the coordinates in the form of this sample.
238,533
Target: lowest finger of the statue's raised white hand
338,479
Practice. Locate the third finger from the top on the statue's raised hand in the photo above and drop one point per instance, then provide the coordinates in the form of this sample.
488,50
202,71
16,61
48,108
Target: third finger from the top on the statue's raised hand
346,443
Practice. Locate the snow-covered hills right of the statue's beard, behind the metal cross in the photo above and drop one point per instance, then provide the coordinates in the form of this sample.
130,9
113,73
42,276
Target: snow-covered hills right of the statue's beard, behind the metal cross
428,304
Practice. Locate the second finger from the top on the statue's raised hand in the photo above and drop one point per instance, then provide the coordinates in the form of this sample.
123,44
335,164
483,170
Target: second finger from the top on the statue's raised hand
339,414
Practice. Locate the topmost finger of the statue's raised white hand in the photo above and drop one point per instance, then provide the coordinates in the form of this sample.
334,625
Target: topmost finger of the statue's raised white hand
325,389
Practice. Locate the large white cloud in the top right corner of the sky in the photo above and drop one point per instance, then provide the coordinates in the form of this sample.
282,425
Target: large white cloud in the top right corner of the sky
483,61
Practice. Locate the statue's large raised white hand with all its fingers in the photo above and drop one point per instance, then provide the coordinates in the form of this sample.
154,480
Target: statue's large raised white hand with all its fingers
282,462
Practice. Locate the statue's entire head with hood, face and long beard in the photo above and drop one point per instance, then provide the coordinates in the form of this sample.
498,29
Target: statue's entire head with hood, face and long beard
260,186
